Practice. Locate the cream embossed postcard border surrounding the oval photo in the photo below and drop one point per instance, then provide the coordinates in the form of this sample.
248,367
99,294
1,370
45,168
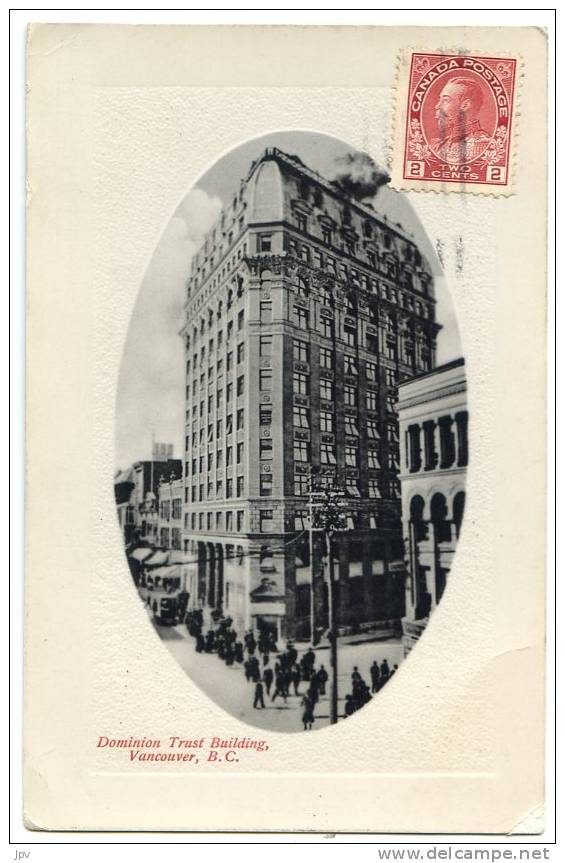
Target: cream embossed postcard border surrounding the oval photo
81,257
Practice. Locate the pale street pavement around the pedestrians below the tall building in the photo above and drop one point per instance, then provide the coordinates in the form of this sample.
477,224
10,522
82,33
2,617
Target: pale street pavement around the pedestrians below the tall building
227,686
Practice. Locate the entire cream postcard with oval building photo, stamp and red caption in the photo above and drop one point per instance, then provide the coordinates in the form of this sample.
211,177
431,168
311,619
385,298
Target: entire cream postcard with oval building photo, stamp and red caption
286,411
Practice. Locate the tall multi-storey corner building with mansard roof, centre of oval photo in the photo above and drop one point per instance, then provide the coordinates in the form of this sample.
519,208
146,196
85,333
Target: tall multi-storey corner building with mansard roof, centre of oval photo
304,309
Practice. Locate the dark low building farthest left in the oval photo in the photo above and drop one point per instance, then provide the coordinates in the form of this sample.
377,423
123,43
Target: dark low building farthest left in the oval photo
136,493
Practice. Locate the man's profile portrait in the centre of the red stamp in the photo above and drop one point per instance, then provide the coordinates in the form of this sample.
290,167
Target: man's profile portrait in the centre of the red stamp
461,138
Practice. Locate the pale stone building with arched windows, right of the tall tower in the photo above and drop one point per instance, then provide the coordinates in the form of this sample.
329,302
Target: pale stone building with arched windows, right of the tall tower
432,409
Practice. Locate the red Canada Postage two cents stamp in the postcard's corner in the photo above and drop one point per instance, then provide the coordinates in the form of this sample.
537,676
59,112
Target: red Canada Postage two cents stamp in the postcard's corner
459,119
